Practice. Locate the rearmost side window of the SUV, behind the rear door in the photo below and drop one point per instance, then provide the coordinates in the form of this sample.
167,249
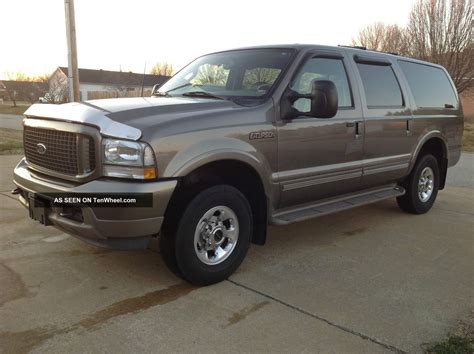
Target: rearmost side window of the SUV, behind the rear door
430,85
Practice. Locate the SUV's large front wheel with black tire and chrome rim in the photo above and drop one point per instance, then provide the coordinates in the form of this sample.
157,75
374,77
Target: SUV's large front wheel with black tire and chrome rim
221,215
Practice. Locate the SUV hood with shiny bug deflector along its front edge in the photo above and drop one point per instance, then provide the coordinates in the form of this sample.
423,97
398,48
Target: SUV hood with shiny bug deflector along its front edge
129,117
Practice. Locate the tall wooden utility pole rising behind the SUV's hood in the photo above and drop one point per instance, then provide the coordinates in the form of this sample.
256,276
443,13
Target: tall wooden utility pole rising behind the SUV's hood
73,71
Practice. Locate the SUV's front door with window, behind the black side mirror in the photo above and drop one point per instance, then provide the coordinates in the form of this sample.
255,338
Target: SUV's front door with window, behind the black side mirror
320,158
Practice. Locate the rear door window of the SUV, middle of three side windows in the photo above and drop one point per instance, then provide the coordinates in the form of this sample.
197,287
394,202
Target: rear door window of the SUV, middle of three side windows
380,85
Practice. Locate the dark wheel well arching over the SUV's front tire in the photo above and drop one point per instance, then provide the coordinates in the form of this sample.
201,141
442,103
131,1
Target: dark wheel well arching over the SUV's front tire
235,173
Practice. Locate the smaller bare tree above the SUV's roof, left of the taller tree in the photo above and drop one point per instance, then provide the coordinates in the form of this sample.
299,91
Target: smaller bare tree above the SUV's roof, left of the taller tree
383,38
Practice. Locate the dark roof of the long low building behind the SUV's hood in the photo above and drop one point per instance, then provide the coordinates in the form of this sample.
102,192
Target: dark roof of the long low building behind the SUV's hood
120,78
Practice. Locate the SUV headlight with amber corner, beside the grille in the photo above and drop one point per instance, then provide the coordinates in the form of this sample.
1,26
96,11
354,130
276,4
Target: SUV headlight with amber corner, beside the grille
128,159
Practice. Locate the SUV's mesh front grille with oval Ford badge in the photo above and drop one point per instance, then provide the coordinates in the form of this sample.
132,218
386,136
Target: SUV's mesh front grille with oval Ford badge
66,153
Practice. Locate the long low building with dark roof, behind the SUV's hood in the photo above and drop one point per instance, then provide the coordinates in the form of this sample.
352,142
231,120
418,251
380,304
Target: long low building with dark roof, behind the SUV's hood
104,83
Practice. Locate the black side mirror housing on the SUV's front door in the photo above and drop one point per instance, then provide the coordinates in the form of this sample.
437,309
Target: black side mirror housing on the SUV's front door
324,101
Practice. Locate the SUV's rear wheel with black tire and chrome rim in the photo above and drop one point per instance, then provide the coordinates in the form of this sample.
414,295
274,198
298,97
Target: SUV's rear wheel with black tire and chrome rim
412,201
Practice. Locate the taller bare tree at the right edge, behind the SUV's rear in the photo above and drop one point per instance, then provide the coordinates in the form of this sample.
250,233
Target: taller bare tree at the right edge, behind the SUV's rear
440,31
